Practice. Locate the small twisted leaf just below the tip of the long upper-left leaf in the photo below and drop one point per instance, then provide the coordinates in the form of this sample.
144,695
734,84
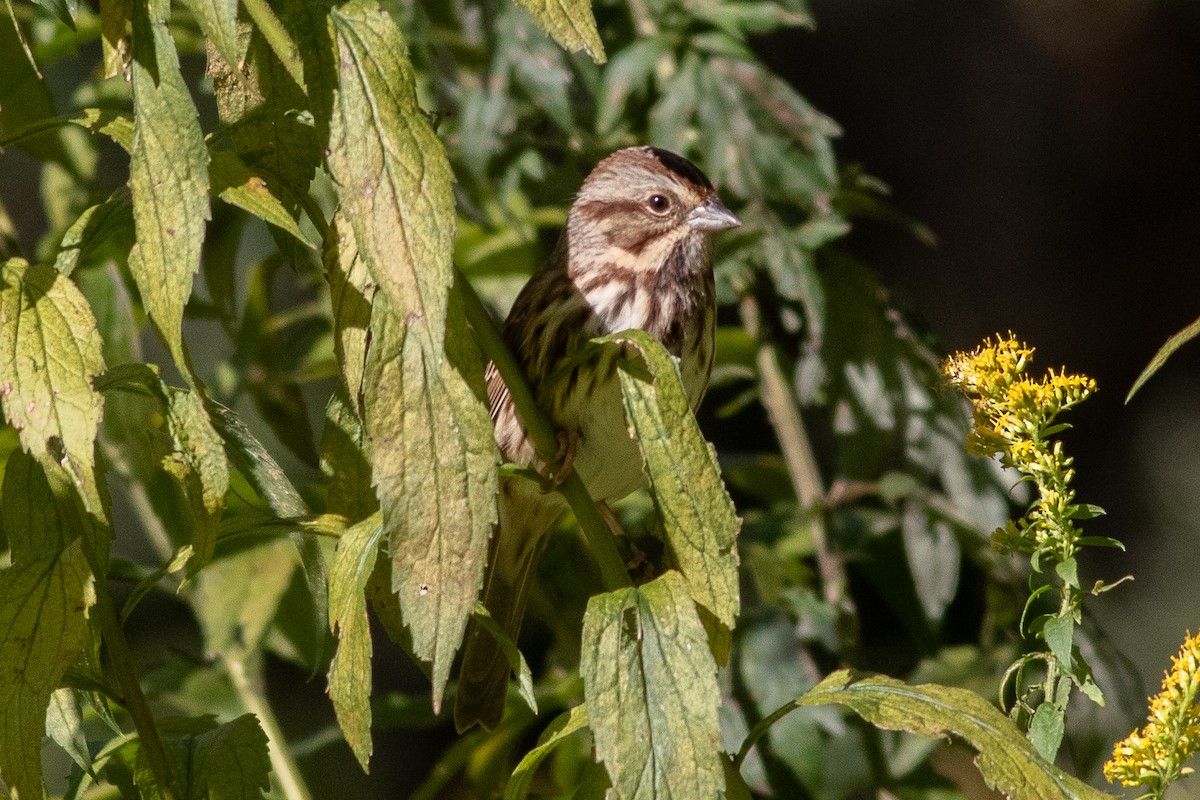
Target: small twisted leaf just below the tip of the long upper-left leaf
201,467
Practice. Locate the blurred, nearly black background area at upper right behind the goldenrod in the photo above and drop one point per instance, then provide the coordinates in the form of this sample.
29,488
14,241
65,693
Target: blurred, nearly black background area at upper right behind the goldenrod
1053,148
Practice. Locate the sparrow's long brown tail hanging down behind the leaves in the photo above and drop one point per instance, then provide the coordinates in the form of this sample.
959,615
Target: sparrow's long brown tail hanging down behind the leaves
527,515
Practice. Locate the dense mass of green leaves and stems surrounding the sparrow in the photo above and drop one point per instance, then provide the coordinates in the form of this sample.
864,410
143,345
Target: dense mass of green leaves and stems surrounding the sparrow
159,449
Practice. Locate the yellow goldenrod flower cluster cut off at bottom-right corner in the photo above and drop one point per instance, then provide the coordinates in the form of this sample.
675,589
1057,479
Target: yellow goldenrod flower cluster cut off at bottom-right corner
1155,756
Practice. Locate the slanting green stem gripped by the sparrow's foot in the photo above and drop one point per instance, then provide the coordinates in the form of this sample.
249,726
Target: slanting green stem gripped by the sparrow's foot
544,437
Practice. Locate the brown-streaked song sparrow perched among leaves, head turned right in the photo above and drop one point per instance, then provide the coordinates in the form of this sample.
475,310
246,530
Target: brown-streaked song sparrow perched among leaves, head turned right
634,256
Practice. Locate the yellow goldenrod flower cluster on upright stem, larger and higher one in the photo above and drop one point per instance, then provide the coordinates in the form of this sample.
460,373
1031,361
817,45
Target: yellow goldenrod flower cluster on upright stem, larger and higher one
1015,417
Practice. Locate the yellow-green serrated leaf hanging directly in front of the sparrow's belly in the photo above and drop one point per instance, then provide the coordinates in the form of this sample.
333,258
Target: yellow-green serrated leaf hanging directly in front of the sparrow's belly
698,515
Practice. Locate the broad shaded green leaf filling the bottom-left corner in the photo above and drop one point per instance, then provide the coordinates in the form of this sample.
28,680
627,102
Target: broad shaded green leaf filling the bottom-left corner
44,627
